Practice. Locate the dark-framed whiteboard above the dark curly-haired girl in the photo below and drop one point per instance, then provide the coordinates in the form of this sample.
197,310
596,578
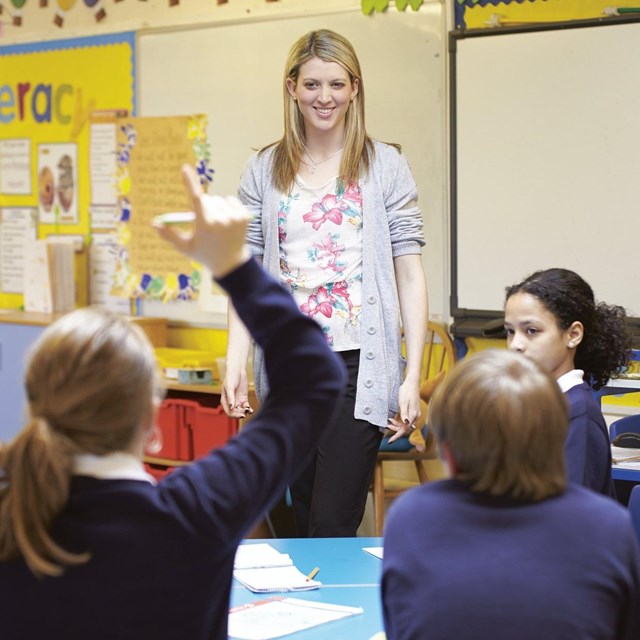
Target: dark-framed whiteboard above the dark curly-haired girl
545,161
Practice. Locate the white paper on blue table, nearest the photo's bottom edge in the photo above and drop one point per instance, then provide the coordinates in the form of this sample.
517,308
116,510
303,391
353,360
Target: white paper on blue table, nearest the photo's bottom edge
267,619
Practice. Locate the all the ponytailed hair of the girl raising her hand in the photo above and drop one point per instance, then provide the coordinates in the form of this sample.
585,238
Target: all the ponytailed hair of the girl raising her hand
91,382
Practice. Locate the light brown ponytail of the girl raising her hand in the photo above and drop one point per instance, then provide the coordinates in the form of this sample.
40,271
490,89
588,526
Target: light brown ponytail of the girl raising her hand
34,487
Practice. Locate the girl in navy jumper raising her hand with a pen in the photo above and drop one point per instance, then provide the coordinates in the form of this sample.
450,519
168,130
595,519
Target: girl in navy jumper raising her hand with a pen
90,547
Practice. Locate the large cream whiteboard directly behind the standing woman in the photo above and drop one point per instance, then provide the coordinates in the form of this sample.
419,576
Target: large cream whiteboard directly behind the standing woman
234,74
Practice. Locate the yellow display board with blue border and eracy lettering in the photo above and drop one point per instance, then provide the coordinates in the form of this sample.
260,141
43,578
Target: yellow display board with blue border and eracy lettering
48,93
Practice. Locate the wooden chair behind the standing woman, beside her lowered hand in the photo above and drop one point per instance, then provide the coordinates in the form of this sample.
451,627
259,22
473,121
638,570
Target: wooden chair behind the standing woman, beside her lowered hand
439,356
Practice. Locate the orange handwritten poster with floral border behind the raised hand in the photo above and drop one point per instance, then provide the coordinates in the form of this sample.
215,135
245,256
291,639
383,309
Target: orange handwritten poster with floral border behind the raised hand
150,154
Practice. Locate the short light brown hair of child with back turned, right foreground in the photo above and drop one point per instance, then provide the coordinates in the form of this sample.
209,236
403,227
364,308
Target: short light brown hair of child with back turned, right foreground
504,420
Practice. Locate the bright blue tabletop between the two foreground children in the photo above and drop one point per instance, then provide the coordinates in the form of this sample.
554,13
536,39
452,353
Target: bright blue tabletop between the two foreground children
349,576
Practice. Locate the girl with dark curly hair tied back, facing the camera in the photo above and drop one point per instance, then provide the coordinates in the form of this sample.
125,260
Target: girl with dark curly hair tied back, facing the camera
553,318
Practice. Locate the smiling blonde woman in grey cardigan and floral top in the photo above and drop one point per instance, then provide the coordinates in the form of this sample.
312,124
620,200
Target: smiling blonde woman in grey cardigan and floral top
336,220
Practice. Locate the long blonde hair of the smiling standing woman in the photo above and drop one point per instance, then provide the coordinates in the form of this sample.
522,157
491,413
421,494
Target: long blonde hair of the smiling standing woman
358,147
